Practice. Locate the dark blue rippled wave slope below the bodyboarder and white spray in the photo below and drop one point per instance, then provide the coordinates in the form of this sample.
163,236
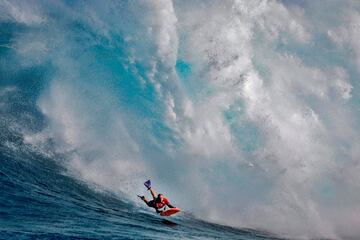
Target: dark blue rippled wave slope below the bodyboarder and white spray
39,200
